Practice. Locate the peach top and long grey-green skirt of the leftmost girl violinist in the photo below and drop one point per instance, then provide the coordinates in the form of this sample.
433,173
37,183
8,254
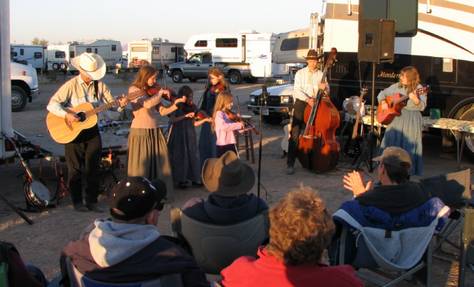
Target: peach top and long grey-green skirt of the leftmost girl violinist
147,148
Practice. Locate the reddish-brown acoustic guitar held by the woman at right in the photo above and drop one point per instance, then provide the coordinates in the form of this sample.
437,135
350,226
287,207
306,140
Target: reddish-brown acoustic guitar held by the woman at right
395,103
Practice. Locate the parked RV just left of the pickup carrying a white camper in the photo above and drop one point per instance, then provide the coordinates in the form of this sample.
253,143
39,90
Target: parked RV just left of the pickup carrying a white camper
157,52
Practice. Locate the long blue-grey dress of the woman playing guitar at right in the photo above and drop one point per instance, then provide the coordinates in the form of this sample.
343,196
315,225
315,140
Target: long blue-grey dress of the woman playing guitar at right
405,131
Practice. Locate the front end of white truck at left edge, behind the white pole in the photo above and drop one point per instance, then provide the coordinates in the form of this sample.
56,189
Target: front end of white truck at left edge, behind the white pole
24,82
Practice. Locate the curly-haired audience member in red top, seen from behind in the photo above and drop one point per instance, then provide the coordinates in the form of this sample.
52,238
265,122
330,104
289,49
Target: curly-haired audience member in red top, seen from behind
300,230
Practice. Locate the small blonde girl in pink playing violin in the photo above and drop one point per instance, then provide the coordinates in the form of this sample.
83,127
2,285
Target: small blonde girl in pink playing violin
223,126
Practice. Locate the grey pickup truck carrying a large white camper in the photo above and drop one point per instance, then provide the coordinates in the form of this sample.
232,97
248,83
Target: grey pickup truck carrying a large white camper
242,55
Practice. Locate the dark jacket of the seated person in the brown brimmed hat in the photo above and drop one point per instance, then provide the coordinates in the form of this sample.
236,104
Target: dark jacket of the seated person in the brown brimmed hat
222,210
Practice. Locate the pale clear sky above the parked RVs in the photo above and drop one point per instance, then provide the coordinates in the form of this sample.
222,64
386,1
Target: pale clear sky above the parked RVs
62,21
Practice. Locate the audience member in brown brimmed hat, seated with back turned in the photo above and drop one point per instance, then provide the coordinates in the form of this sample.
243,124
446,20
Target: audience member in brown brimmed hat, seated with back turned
229,181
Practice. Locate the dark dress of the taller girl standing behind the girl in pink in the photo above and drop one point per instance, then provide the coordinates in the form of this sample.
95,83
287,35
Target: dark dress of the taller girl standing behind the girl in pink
207,139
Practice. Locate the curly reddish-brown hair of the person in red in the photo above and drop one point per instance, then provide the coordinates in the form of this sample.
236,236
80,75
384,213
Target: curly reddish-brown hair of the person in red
300,228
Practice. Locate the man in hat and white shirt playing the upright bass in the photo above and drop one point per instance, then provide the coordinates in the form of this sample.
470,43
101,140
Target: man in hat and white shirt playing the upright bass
307,83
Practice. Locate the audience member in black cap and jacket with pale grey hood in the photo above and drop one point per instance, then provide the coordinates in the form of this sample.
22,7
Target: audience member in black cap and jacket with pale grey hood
128,247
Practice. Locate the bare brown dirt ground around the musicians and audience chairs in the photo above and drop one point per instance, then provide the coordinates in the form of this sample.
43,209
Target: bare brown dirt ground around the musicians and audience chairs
41,243
